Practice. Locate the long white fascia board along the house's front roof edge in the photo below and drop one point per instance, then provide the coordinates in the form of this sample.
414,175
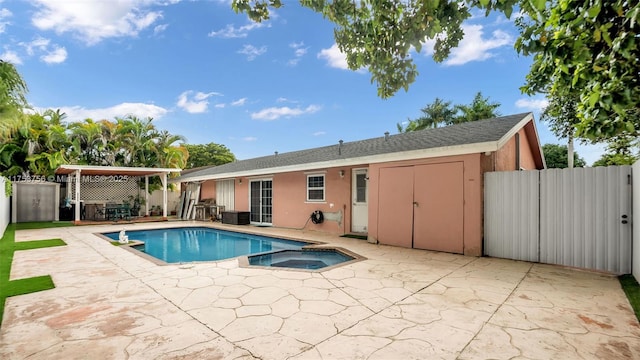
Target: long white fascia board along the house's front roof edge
373,159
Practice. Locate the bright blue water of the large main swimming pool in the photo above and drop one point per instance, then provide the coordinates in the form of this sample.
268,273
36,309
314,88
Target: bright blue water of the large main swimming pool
203,244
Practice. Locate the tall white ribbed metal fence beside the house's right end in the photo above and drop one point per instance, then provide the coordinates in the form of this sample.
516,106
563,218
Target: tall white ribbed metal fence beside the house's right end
575,217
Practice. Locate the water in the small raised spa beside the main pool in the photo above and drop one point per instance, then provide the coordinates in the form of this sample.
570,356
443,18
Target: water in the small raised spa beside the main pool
301,259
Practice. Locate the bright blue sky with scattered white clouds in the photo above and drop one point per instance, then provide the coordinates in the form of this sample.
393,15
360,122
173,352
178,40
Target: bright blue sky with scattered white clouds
209,74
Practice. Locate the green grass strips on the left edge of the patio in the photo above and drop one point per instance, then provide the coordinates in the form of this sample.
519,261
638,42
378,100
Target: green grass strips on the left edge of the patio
8,247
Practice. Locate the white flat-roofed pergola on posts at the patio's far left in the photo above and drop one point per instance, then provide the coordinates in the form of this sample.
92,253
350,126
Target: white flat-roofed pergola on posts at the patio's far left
87,170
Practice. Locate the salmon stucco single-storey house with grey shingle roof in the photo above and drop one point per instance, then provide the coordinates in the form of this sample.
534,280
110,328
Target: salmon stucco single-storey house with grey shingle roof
419,190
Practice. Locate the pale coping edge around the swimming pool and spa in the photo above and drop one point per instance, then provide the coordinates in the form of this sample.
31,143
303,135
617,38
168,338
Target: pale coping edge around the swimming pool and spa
243,260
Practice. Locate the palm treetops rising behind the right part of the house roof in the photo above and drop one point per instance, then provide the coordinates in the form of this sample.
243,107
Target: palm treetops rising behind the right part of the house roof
443,113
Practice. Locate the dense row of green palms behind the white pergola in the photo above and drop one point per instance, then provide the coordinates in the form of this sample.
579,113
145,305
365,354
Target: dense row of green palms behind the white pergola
42,142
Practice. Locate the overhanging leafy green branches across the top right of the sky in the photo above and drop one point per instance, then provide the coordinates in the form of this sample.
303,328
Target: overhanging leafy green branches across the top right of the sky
587,46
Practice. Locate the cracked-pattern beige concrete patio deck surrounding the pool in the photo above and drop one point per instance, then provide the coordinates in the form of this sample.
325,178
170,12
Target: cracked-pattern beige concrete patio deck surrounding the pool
398,304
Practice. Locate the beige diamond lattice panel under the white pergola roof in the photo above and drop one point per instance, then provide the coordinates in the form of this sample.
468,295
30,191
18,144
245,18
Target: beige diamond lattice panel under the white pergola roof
106,188
